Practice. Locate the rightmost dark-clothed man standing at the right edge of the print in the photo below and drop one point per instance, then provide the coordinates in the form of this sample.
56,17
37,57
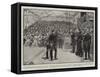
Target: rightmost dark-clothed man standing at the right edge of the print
86,45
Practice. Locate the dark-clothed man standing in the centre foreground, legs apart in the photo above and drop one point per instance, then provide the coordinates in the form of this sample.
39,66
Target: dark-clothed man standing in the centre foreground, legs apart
53,45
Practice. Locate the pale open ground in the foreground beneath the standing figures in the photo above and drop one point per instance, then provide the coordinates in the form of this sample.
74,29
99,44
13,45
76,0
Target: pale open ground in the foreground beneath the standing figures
36,55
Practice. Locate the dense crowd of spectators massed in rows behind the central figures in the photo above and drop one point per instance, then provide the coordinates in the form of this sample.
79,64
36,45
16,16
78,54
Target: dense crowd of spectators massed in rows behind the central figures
37,33
